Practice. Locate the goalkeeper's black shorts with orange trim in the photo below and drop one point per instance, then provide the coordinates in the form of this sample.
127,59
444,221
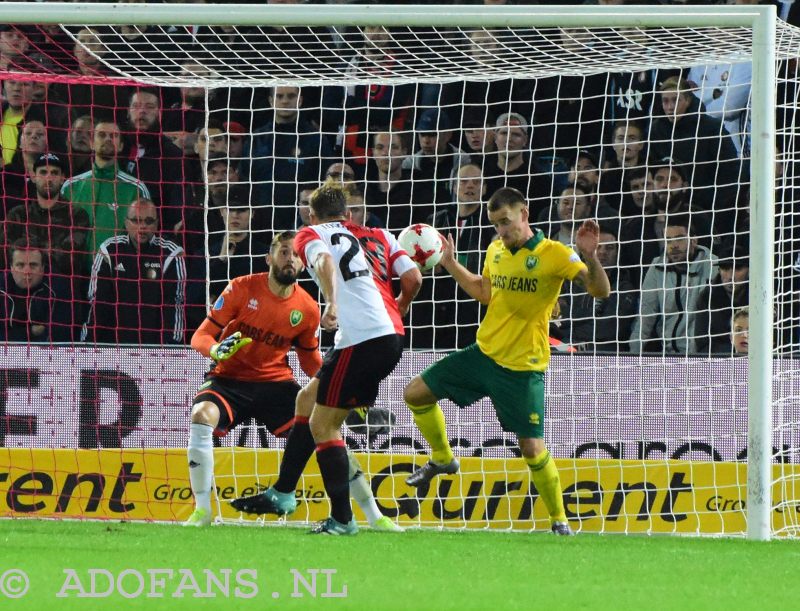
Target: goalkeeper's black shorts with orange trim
270,403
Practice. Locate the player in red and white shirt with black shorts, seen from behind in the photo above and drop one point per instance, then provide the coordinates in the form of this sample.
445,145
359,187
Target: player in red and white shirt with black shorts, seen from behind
353,266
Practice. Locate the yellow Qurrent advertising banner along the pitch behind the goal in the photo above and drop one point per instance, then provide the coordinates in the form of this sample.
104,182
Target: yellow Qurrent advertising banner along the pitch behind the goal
599,495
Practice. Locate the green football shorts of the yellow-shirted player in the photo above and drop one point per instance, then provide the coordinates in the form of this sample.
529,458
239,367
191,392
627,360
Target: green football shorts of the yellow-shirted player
468,375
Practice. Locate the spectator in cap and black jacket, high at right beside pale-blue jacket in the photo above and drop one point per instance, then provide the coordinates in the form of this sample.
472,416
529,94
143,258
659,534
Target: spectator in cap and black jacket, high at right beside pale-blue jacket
684,132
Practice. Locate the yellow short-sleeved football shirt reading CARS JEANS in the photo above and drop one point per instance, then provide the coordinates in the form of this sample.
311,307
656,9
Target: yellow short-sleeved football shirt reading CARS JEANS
526,283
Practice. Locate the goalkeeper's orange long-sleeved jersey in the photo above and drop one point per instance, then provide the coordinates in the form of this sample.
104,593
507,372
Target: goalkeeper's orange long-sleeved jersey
275,325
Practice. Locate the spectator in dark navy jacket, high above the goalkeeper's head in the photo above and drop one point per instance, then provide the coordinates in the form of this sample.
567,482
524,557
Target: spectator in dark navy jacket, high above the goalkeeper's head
284,153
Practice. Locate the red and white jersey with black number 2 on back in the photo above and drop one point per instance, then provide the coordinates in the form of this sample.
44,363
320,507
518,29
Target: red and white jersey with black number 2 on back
366,259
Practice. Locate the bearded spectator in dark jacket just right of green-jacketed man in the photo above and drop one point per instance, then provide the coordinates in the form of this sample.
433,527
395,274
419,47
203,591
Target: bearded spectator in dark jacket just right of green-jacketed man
154,158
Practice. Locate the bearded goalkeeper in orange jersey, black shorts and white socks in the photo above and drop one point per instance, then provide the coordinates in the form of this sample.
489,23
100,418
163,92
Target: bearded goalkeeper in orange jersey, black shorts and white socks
260,317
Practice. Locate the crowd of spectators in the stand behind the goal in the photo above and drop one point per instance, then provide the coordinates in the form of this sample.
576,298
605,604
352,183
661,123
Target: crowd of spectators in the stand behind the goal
125,210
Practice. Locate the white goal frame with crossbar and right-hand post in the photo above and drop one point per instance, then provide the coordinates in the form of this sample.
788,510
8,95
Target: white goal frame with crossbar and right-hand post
736,22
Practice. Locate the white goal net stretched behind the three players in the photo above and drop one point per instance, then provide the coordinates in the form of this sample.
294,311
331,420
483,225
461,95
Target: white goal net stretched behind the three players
658,132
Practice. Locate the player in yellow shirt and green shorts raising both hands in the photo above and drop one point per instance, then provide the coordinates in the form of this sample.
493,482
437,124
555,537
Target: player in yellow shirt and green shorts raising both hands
522,277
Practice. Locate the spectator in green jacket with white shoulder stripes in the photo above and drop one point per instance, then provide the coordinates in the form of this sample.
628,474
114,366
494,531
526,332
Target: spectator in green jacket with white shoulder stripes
105,191
